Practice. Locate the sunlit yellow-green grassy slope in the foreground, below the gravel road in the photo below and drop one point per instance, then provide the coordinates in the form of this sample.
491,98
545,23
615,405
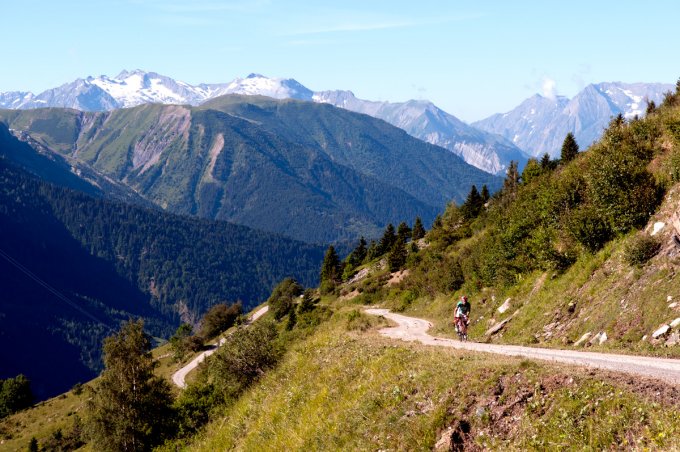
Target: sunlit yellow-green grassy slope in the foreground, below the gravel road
371,393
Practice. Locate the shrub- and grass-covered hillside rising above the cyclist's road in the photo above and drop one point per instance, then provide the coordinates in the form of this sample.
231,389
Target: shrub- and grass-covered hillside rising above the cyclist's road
567,250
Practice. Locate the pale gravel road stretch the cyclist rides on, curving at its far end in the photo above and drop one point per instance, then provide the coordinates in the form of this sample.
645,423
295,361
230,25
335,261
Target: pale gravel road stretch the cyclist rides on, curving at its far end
413,329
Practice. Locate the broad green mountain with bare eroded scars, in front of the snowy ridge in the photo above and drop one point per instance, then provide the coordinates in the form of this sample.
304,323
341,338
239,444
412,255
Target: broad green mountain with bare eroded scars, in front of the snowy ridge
309,171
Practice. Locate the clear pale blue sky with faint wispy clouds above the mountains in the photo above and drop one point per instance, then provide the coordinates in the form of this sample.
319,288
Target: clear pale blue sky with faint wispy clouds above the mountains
471,58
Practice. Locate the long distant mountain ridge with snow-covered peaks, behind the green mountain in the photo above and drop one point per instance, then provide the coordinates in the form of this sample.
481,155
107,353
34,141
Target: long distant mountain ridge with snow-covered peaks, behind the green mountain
420,119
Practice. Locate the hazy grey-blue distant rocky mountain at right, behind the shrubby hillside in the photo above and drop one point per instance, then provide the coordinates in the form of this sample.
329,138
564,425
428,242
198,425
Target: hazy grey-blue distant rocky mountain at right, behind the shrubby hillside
539,124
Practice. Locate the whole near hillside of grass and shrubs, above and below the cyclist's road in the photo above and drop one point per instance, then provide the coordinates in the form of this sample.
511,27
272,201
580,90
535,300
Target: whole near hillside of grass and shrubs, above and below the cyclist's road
576,245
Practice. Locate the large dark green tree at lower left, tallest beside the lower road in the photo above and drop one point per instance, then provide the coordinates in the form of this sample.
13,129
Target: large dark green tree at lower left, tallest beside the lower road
131,407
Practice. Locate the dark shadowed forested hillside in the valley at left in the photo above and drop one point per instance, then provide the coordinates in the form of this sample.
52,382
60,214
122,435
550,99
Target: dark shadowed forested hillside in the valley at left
85,255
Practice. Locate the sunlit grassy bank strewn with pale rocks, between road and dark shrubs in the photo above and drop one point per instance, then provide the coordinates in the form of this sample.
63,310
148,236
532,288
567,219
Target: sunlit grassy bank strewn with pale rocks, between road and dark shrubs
607,295
